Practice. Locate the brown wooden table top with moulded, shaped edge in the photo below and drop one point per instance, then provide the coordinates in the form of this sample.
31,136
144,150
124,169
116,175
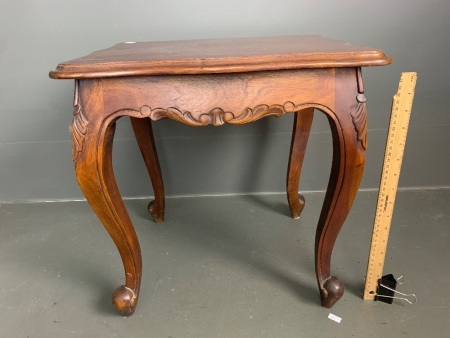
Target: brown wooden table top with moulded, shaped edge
219,56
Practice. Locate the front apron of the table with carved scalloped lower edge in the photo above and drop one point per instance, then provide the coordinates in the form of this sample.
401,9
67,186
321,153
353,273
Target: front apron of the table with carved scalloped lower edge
219,98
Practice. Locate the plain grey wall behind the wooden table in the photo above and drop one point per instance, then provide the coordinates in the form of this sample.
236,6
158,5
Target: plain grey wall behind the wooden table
35,112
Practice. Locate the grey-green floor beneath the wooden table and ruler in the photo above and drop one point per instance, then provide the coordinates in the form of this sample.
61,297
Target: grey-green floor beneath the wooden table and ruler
220,267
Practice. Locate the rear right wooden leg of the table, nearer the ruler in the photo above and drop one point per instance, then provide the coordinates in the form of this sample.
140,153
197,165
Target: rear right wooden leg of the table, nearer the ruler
300,134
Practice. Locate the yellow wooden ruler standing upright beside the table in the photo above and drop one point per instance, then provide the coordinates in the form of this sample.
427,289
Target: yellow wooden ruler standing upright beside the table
395,146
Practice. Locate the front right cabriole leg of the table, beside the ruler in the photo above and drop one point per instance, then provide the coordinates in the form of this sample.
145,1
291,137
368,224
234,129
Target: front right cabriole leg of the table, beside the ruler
349,127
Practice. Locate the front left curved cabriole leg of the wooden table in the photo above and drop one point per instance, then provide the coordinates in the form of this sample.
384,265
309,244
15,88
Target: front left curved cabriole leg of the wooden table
92,139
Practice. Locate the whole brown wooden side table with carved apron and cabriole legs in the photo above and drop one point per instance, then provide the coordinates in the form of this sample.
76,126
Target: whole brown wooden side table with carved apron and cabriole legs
202,82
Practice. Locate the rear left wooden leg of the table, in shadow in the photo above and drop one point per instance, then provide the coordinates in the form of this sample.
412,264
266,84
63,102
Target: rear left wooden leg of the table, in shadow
144,135
